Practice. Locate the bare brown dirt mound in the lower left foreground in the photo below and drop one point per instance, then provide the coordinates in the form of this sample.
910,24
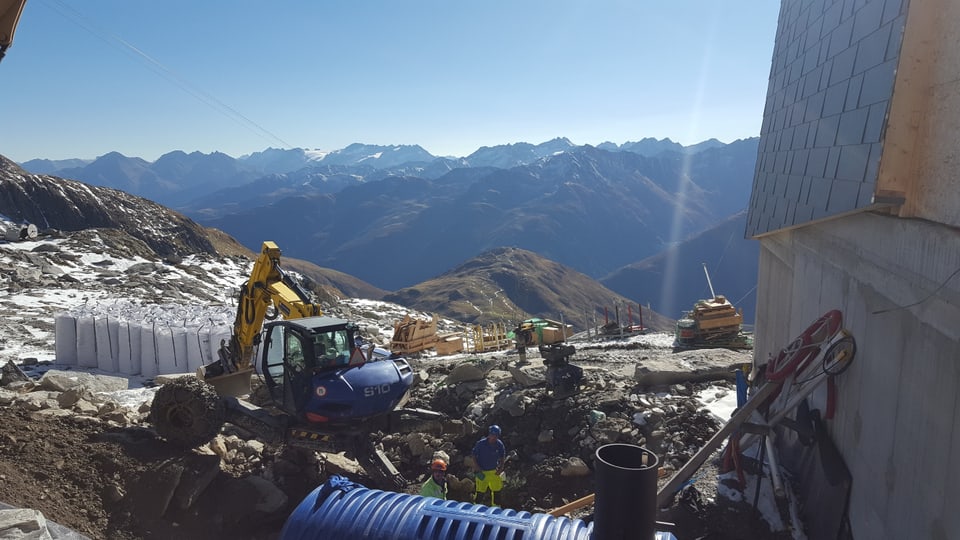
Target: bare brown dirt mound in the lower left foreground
108,482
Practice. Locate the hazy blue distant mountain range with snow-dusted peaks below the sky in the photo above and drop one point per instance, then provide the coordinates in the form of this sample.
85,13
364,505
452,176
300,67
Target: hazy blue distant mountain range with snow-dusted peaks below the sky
401,225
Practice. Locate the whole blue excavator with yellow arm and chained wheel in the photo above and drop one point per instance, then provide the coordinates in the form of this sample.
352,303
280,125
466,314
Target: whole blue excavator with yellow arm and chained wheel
328,390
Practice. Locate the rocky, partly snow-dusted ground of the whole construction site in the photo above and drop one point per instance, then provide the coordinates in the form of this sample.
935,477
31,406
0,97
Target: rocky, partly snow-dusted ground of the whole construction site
76,451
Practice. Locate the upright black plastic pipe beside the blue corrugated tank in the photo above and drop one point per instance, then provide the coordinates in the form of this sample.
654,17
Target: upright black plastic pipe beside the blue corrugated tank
625,507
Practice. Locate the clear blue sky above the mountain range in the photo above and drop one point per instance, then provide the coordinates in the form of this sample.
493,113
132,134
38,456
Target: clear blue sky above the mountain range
145,78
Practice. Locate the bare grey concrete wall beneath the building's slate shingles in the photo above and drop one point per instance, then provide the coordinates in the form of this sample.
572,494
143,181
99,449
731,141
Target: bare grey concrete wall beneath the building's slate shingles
898,414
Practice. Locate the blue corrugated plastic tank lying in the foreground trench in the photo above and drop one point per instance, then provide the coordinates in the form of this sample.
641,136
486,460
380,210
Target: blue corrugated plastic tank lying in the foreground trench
342,510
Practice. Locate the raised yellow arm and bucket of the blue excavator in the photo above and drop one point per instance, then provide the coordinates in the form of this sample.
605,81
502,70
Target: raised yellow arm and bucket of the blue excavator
267,294
